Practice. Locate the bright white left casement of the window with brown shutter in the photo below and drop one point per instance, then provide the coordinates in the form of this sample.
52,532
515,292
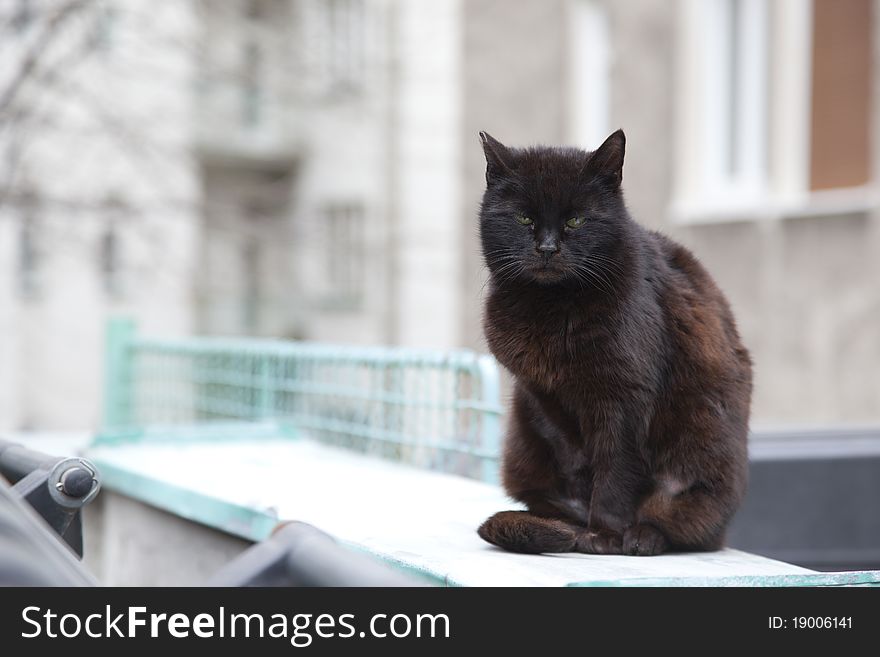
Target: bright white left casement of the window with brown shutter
723,167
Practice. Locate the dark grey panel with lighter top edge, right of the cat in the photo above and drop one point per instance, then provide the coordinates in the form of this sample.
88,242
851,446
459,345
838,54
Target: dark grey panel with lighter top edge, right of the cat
813,499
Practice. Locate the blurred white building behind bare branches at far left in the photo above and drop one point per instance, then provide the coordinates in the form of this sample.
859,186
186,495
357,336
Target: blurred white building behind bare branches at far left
98,194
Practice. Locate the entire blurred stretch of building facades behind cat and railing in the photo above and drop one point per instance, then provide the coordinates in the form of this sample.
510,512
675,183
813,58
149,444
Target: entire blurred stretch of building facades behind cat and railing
310,169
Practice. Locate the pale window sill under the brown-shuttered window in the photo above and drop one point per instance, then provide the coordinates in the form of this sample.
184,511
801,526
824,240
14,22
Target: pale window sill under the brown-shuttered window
826,203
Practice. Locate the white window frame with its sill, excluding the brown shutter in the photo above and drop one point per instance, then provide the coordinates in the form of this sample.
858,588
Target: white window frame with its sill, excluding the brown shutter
778,79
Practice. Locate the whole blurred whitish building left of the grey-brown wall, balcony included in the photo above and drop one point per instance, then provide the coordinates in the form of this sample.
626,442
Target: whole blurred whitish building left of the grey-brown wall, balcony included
297,161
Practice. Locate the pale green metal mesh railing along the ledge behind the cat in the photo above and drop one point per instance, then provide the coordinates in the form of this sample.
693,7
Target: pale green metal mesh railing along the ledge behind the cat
434,409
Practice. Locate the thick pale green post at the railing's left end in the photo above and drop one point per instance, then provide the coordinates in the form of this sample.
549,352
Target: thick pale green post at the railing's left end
118,372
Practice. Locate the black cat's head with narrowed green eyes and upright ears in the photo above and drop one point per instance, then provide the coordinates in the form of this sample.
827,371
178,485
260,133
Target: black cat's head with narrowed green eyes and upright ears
553,215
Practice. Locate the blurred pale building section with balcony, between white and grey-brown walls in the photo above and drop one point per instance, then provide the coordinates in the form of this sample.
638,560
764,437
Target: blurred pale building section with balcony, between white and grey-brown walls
331,171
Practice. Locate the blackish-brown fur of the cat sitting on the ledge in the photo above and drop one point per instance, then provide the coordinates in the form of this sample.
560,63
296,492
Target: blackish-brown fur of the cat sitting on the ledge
627,430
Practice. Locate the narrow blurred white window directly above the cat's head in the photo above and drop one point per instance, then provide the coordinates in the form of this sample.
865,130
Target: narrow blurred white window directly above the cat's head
589,74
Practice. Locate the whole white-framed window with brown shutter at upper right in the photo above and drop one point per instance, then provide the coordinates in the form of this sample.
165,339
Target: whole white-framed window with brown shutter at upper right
773,108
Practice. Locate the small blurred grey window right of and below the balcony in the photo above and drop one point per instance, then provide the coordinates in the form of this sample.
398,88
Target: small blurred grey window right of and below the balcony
343,229
